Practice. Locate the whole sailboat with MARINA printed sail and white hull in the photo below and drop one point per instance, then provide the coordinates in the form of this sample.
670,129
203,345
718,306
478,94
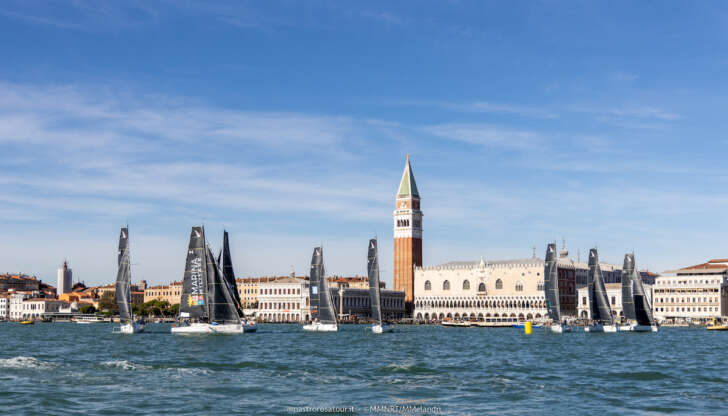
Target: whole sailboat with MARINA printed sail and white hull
206,305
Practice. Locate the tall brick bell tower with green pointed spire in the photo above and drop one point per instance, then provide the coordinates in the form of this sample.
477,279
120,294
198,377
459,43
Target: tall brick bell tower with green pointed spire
407,236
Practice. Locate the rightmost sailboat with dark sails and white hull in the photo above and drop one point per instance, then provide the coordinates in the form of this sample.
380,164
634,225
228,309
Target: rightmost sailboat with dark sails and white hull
636,306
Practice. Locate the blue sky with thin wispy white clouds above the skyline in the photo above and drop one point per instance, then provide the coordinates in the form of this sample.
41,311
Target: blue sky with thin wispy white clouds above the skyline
288,122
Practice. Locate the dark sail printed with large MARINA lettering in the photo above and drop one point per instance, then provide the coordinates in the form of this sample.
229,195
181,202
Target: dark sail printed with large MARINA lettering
194,300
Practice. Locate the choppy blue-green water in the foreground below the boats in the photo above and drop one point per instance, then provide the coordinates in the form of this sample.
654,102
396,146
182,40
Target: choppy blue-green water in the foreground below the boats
60,368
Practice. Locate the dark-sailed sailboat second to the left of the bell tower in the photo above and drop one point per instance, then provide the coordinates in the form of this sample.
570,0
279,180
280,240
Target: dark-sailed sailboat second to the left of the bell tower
322,310
